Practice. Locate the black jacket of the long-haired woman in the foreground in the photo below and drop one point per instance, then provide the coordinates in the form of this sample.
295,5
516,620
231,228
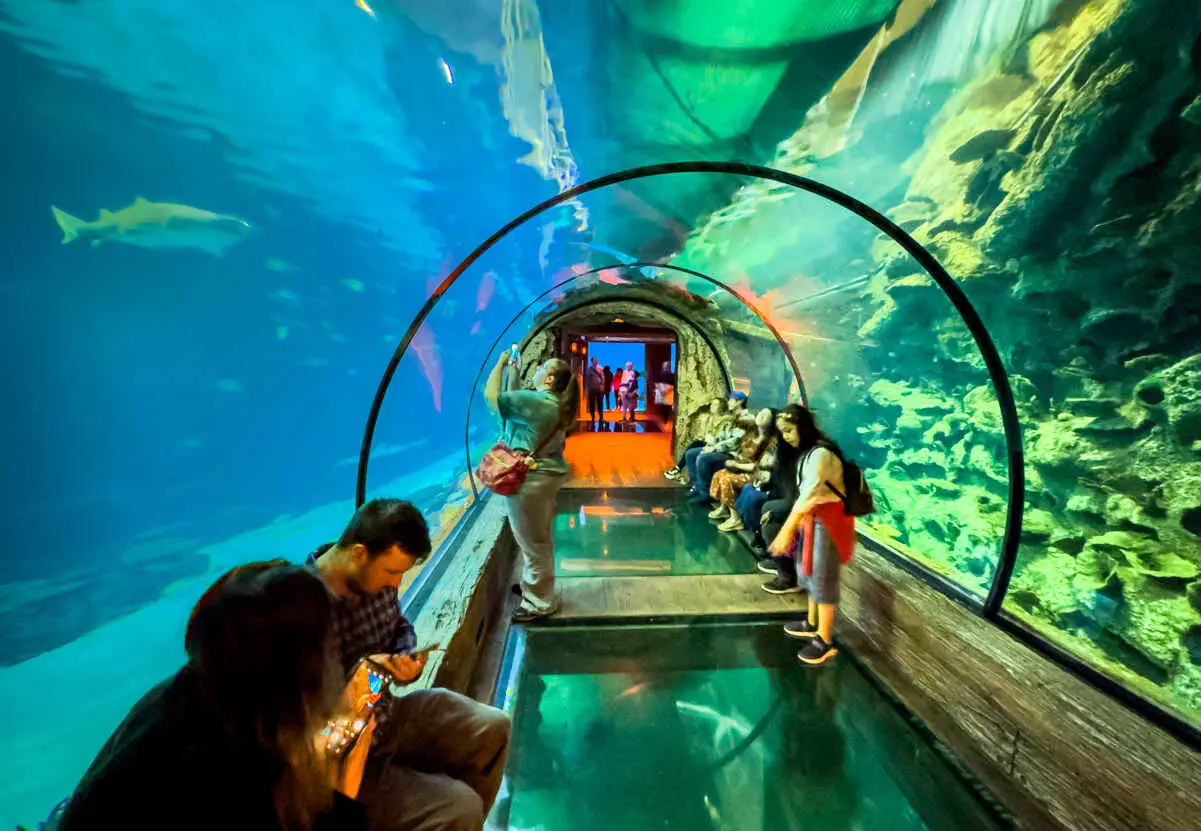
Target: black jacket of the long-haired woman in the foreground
174,766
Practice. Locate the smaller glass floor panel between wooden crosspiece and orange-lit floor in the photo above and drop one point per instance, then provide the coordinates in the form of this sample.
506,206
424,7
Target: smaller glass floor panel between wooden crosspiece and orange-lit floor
642,531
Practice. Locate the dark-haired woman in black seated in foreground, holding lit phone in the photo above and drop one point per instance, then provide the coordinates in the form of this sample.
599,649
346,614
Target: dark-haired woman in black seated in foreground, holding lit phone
231,742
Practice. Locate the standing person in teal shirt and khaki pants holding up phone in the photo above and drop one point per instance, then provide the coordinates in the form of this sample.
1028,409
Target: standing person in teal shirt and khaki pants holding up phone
536,422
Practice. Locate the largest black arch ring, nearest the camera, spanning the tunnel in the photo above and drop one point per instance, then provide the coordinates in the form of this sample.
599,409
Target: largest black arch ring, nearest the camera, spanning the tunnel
959,300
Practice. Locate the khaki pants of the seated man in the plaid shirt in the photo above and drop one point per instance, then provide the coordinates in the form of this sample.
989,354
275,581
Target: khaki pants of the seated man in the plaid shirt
438,766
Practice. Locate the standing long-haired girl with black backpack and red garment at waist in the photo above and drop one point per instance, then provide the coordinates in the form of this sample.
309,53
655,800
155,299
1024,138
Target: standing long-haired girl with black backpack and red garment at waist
818,535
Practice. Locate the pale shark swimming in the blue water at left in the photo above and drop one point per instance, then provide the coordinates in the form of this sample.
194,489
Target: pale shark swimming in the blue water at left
157,225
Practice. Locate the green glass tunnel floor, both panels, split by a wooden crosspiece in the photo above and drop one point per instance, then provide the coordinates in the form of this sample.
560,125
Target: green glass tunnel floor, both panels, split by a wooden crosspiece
697,725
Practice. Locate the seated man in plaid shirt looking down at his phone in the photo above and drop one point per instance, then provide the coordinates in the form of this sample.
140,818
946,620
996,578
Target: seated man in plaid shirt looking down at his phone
438,757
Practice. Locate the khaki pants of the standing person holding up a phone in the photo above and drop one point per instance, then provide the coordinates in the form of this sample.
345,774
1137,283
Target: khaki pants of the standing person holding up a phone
533,519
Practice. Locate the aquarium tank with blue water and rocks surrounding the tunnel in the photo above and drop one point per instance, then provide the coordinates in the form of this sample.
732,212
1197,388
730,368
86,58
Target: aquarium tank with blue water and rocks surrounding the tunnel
222,219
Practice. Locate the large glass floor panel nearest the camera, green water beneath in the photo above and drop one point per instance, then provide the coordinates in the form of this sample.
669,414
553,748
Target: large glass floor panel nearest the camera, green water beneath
713,727
